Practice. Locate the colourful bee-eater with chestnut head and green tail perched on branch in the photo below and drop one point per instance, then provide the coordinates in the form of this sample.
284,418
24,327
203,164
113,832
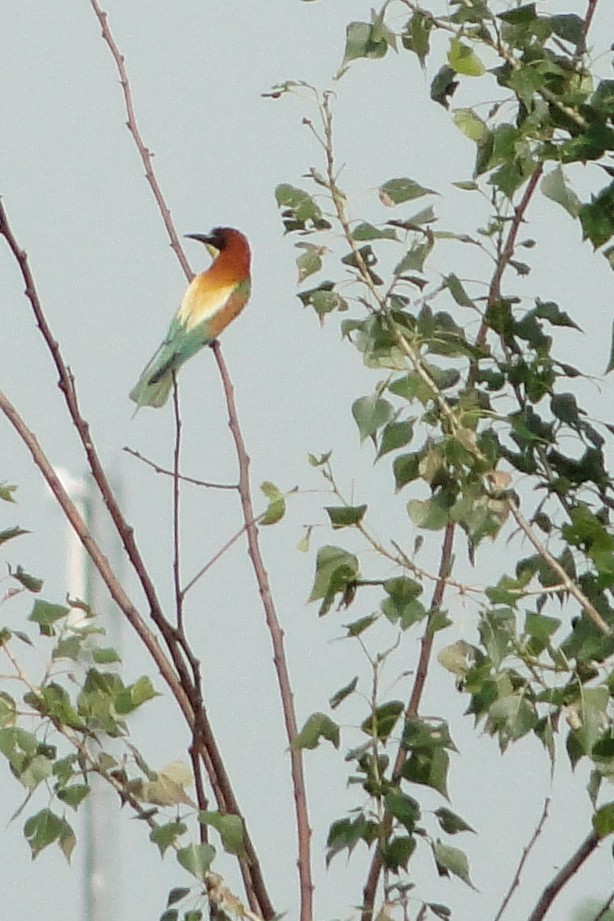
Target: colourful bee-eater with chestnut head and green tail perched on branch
213,299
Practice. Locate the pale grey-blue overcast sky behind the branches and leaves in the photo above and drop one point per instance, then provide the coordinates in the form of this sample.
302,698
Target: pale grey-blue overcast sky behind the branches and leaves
73,187
